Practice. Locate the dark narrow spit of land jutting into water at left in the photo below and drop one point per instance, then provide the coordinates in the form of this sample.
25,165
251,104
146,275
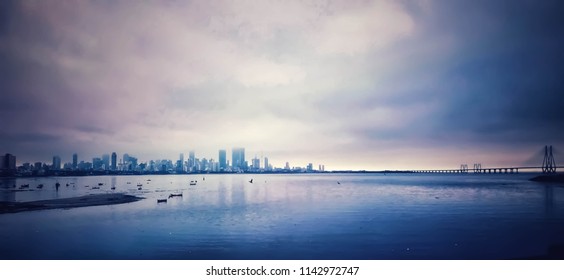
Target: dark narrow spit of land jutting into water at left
67,203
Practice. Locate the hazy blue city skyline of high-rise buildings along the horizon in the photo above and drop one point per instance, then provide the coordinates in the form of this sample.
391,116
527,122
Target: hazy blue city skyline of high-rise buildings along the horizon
128,164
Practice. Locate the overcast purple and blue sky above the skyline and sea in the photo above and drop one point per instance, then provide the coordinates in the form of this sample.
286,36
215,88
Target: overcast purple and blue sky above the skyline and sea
349,84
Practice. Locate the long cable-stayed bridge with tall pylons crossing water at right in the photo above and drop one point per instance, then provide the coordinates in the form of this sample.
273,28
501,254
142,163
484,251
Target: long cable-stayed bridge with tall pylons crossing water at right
548,167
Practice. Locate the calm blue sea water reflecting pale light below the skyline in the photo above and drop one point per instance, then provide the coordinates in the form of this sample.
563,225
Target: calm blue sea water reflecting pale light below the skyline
289,217
